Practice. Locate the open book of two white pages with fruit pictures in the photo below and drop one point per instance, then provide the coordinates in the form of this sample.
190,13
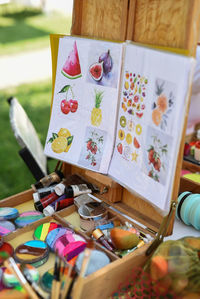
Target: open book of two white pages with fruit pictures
118,109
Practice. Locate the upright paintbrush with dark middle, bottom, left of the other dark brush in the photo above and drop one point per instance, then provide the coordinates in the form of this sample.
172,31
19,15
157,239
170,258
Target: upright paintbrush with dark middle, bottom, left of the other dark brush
55,291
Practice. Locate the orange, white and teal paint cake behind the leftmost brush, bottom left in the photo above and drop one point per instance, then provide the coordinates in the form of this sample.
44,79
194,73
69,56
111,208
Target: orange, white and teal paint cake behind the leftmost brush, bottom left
10,280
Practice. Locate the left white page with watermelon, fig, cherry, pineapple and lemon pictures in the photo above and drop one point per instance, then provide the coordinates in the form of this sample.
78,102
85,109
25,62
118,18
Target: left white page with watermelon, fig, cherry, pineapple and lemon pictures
82,124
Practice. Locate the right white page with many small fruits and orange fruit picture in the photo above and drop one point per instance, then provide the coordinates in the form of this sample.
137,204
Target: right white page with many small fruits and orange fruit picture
149,126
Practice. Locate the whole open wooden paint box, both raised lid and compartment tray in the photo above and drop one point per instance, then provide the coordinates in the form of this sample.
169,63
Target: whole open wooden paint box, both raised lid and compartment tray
162,23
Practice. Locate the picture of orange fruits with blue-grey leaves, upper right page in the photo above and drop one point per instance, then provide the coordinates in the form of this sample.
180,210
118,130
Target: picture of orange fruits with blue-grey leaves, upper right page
163,104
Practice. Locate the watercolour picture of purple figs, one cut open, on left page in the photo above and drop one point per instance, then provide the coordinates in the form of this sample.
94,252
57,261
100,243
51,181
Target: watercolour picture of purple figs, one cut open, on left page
103,65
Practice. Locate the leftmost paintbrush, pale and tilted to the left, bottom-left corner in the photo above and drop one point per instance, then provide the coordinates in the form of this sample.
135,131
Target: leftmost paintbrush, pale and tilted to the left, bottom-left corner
12,266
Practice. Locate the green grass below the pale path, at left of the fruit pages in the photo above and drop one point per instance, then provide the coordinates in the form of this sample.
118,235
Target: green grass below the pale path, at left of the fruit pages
35,98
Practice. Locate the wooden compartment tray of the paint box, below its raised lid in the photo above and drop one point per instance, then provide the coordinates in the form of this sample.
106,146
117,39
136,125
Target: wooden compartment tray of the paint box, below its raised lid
102,283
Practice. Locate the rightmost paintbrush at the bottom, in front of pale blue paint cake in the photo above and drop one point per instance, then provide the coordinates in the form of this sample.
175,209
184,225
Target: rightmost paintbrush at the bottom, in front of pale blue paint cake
77,287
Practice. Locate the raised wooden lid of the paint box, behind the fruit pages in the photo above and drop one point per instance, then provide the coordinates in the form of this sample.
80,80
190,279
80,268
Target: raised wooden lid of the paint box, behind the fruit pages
166,23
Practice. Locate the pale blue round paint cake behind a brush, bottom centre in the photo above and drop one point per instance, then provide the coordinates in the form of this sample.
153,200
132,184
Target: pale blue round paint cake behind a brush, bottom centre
98,260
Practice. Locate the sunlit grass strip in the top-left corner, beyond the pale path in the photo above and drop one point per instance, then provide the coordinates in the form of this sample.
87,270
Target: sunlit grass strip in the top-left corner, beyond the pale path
28,29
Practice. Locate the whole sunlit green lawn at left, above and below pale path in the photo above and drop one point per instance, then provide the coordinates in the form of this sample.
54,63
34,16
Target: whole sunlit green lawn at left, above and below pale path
24,29
